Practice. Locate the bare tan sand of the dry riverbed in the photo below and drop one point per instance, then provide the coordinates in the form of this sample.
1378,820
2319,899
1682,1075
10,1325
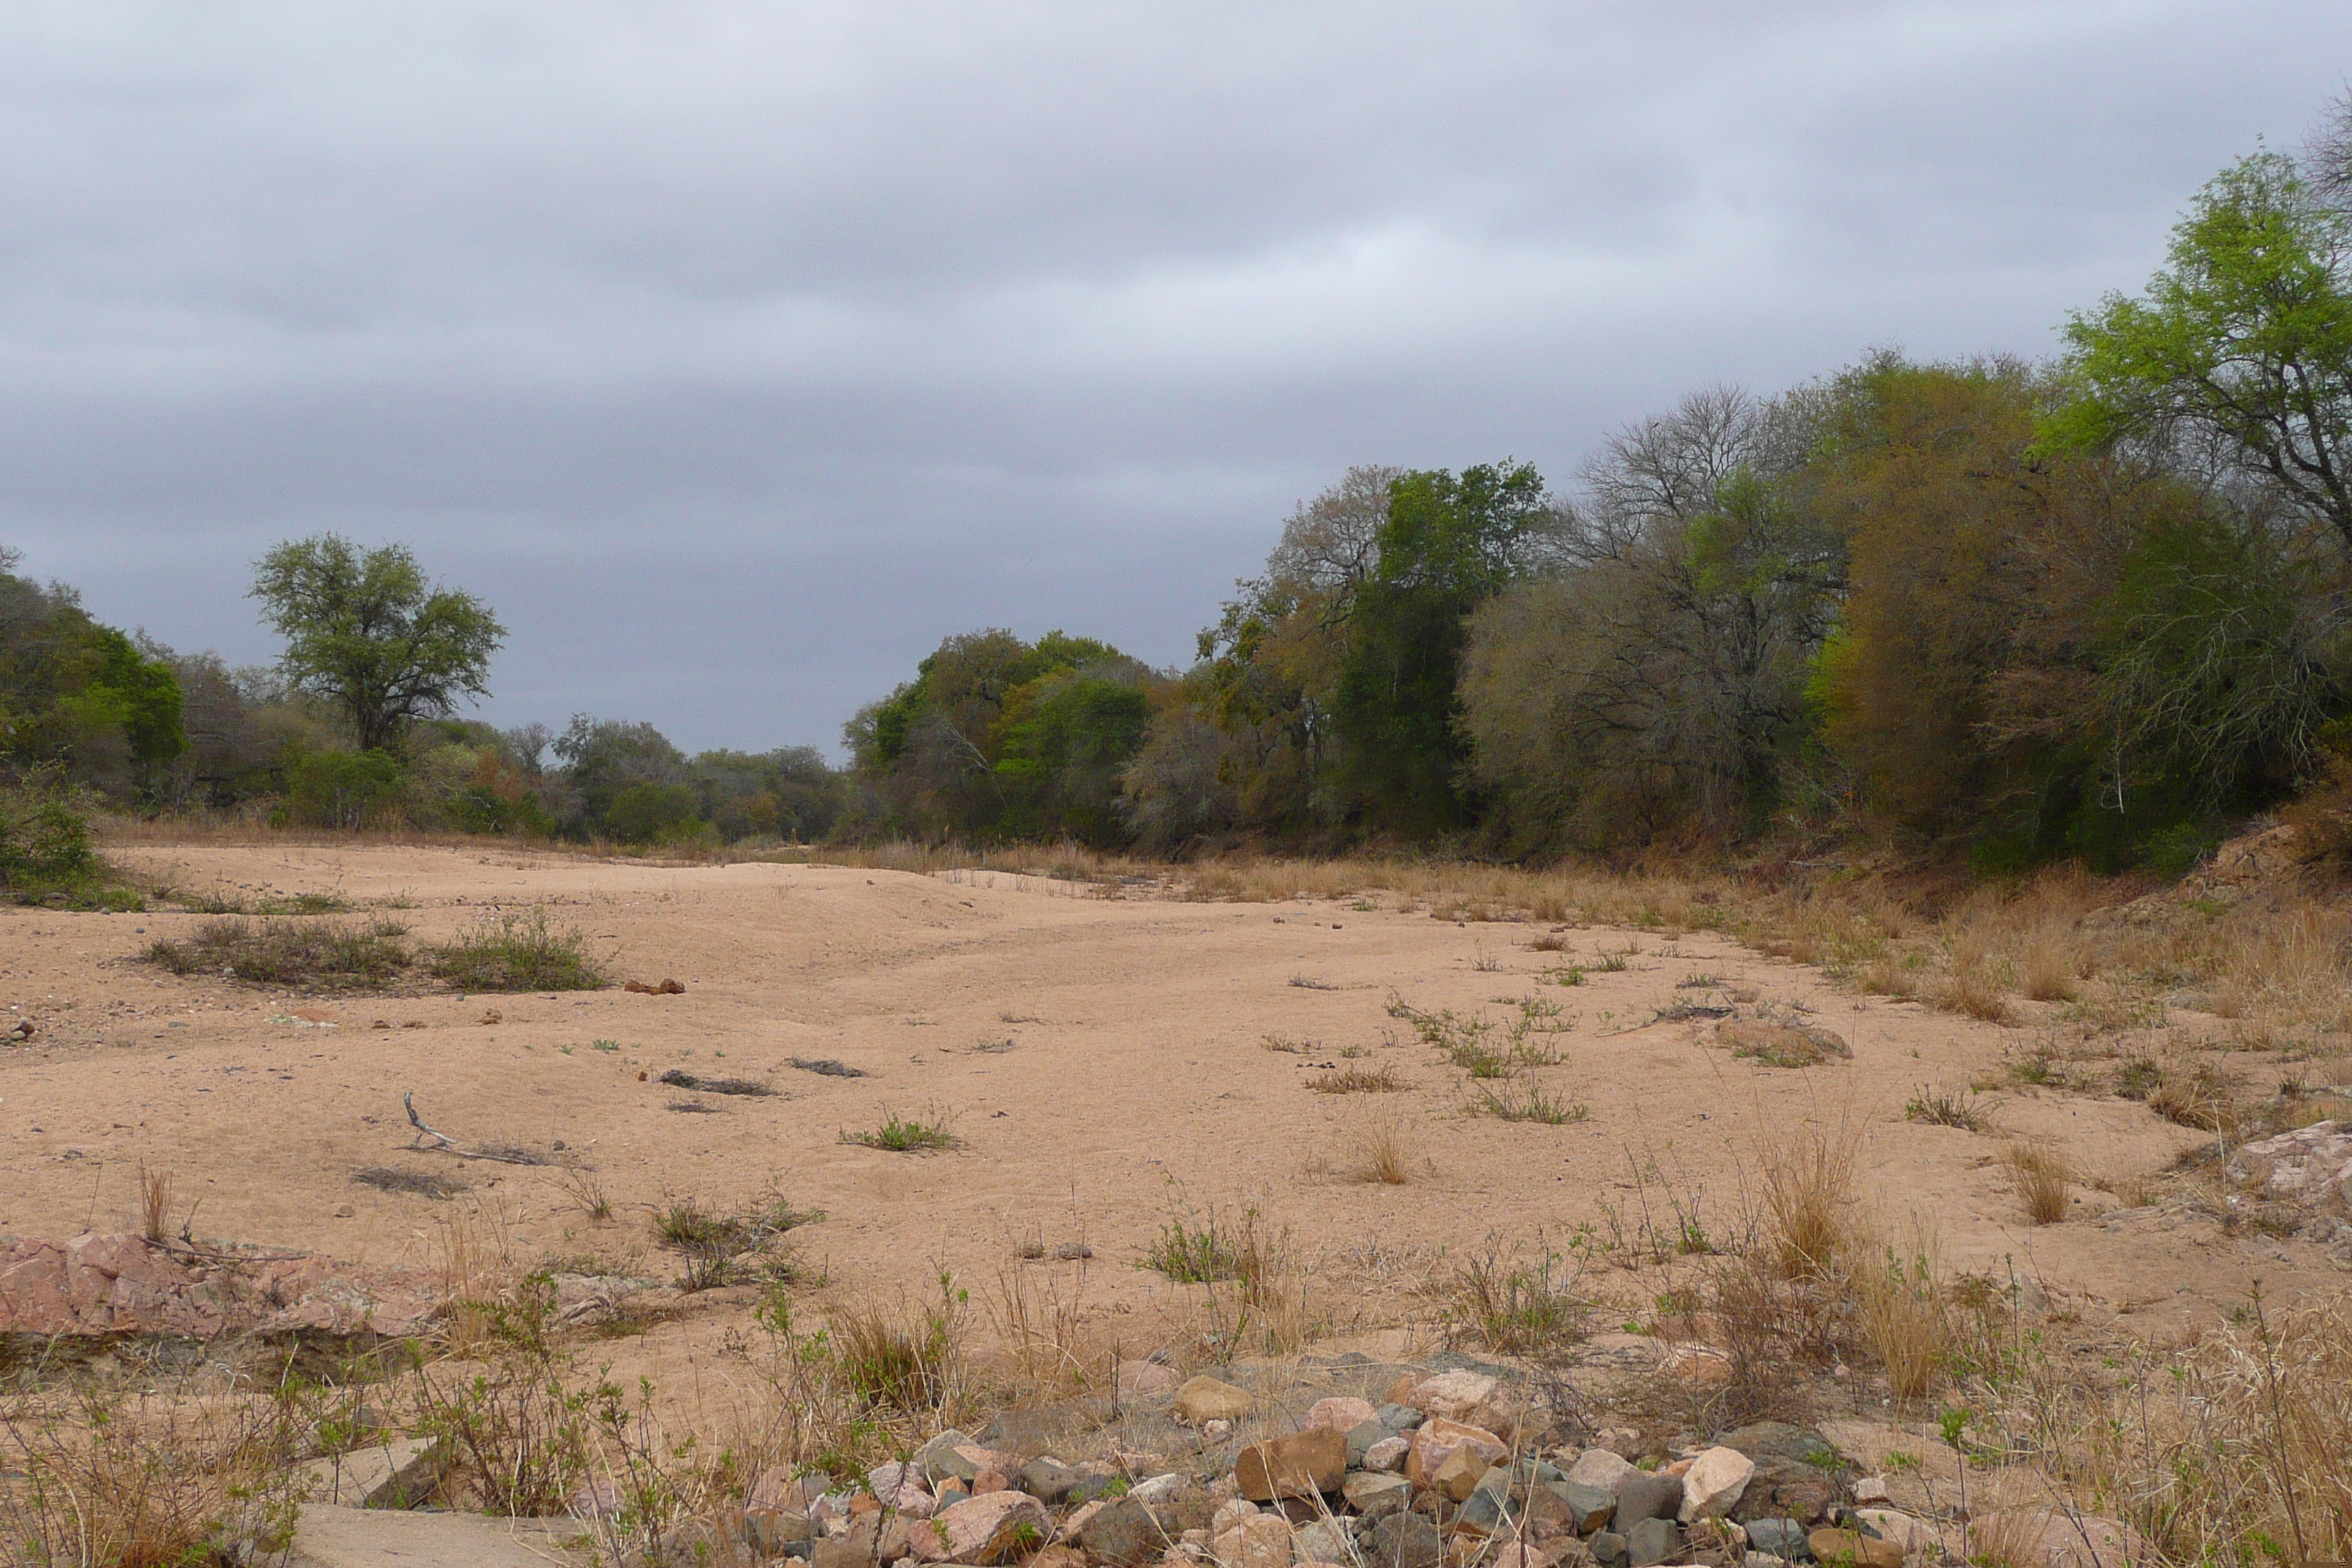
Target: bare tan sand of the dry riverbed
1100,1059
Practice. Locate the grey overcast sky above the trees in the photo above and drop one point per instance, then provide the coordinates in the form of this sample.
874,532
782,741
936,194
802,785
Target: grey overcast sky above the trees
742,351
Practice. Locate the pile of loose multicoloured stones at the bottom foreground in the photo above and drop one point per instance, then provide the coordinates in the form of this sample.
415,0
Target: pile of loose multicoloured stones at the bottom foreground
1436,1475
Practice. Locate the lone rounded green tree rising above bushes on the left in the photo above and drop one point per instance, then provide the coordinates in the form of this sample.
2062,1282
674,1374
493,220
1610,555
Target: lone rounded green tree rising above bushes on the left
366,631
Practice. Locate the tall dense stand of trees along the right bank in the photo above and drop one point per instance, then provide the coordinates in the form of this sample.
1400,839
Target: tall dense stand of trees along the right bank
2090,608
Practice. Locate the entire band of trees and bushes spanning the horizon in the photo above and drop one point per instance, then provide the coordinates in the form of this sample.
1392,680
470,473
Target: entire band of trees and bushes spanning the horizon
2092,608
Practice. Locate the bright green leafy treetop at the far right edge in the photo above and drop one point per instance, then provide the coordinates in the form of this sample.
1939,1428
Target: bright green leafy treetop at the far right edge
2245,335
